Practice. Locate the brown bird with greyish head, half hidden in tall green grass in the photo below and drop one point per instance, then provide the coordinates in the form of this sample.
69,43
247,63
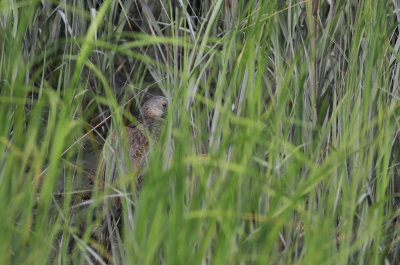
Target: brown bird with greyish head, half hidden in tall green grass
118,159
